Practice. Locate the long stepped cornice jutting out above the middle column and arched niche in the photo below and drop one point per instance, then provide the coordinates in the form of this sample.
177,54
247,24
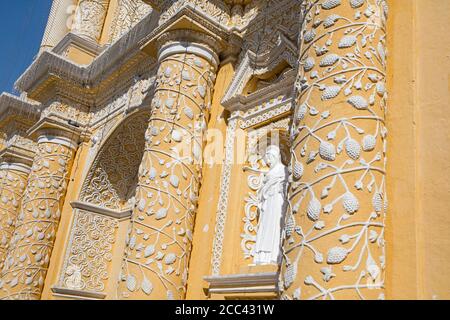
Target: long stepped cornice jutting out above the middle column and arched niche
52,74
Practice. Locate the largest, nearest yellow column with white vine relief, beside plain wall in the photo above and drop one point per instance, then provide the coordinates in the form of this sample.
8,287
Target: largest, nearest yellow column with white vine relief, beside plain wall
334,232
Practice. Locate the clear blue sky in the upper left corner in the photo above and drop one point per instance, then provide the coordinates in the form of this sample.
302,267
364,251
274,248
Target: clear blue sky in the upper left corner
22,24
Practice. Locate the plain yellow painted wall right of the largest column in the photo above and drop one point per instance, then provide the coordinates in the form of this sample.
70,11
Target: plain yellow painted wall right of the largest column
418,236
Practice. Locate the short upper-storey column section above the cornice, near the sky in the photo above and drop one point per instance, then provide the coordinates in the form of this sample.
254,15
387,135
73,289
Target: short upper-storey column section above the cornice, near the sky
89,19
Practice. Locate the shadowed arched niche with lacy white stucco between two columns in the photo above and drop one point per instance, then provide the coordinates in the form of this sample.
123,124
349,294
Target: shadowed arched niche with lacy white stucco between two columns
103,202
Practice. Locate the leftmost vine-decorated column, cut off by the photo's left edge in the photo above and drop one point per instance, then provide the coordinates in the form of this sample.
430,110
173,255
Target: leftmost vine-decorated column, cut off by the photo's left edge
13,179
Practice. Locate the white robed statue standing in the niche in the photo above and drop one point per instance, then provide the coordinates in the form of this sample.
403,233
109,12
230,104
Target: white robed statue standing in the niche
272,205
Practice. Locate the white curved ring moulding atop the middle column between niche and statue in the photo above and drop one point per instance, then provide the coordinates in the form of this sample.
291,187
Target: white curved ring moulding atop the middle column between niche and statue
188,47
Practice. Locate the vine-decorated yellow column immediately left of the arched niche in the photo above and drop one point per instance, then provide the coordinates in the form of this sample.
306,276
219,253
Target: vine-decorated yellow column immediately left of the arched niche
25,267
